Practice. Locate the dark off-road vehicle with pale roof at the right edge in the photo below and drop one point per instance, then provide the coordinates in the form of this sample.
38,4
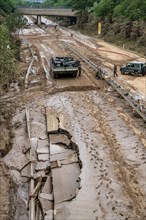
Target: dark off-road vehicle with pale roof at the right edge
134,68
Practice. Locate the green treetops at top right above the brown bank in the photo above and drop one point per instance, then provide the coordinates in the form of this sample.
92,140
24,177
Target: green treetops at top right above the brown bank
131,9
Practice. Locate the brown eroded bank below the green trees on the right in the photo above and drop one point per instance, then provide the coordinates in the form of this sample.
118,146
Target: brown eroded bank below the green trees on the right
125,33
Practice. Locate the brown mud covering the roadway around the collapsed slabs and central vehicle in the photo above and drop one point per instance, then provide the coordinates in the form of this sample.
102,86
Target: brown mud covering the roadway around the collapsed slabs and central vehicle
109,134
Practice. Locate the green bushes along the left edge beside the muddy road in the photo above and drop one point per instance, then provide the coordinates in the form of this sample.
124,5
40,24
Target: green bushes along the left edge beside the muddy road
9,22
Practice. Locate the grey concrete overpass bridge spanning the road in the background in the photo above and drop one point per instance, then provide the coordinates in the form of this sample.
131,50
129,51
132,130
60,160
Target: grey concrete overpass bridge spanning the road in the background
58,12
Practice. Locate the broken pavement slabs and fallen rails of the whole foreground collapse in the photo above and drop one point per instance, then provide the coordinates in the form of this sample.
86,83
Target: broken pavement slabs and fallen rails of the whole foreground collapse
54,170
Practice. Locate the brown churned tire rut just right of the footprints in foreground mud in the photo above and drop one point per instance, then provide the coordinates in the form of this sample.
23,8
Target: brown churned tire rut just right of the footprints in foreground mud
124,171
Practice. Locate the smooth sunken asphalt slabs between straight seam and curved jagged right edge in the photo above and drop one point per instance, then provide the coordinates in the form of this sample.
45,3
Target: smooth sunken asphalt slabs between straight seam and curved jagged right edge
65,164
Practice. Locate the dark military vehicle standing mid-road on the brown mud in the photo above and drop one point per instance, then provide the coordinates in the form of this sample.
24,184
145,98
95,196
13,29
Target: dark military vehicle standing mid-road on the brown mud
64,66
